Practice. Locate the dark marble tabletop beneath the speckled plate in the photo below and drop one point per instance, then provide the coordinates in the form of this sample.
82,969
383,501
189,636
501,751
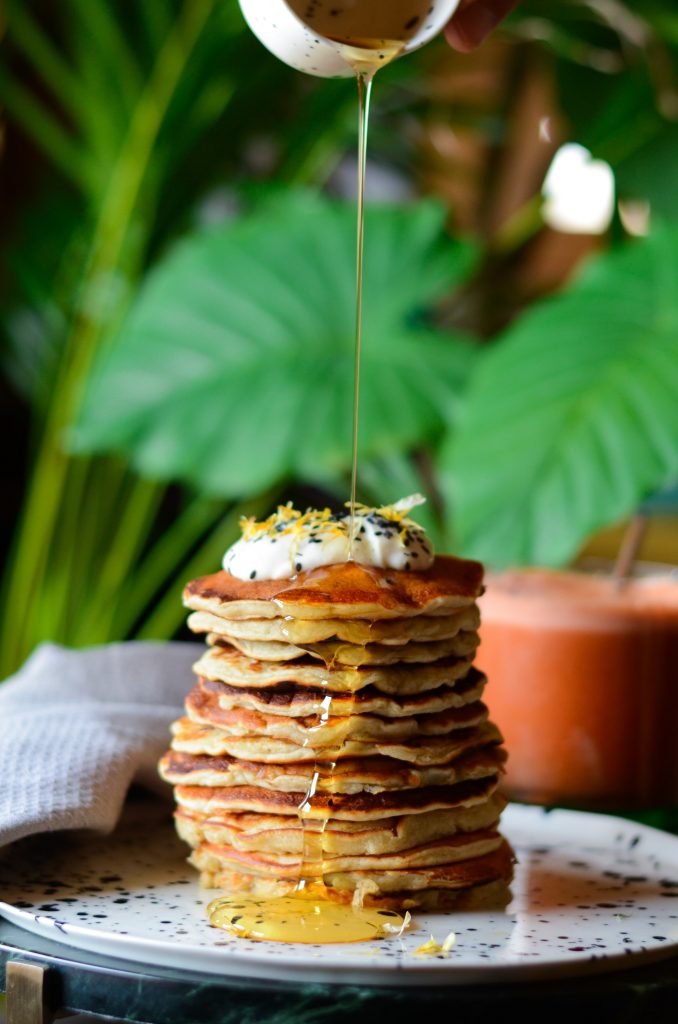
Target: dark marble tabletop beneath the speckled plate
103,986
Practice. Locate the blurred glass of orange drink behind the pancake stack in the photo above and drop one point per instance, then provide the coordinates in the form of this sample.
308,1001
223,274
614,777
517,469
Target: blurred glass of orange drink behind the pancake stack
583,681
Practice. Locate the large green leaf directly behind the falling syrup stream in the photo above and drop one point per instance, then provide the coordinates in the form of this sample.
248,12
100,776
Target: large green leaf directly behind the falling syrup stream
236,367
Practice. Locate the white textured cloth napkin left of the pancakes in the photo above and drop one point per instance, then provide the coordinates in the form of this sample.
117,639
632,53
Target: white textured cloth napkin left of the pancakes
77,728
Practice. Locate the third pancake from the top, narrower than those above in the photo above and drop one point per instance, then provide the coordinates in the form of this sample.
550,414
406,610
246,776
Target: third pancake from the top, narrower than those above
336,653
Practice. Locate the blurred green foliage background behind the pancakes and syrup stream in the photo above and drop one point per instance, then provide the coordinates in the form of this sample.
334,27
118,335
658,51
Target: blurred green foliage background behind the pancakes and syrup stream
178,297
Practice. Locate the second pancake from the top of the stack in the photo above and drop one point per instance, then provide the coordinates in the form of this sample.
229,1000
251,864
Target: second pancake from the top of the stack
357,631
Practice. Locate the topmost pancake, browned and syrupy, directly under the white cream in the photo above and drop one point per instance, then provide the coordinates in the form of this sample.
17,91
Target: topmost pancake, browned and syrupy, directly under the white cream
348,590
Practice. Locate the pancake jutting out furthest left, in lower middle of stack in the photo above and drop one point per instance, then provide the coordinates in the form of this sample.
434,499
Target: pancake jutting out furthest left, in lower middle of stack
349,776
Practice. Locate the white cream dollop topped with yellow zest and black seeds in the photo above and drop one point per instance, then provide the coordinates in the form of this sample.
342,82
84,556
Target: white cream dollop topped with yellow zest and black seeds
290,542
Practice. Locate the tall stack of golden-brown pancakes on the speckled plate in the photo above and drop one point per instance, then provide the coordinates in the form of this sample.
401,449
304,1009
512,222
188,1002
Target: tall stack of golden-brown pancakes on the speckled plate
336,734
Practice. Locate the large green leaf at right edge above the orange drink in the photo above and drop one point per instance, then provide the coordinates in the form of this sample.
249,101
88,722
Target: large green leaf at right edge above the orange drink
573,416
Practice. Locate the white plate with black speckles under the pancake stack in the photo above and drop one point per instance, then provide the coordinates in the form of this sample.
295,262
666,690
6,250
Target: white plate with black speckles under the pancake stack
591,893
